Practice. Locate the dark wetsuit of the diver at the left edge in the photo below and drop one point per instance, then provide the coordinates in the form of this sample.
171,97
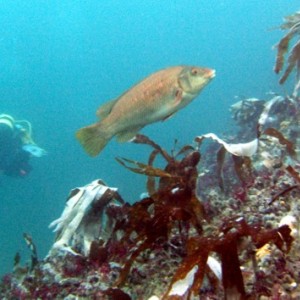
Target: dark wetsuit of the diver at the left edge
14,161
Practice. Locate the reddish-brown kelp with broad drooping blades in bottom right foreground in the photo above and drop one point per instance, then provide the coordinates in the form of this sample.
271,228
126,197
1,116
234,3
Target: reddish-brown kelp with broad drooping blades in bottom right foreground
189,275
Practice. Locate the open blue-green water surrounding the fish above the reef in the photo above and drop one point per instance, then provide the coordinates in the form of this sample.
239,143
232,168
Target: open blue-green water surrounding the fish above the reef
61,59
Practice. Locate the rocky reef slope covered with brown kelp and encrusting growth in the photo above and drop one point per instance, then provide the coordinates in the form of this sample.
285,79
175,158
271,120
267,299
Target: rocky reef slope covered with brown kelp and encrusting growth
219,220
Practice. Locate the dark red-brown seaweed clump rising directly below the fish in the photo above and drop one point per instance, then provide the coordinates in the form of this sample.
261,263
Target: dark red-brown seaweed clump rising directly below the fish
172,205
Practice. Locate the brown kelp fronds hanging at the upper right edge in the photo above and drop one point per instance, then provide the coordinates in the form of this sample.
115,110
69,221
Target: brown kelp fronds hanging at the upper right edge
292,25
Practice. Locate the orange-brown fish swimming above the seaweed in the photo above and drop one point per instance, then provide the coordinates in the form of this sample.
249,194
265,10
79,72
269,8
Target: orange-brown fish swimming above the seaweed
156,98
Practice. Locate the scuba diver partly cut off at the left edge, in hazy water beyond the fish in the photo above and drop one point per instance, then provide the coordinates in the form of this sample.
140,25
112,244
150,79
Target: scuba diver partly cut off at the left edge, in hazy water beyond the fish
16,146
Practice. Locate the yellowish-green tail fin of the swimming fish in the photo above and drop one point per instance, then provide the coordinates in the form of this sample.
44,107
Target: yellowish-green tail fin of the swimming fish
92,139
